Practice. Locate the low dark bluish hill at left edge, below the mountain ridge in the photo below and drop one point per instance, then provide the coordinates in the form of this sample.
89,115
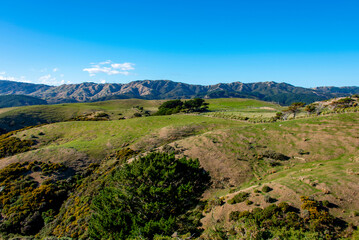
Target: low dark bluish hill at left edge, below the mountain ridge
19,100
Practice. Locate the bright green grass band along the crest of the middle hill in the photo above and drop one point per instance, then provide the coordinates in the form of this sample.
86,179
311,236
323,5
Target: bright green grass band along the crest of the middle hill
99,138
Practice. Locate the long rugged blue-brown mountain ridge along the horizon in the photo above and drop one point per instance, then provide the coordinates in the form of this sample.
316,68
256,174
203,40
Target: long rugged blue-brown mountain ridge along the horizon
281,93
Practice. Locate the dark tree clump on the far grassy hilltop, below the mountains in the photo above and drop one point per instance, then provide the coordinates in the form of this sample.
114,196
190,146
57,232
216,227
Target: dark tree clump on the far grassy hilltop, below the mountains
176,106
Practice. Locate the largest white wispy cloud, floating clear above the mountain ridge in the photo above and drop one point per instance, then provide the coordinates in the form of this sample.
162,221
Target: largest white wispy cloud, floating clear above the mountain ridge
110,68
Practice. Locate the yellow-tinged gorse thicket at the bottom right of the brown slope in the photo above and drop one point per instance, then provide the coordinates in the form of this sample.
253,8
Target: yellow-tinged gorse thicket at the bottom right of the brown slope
285,222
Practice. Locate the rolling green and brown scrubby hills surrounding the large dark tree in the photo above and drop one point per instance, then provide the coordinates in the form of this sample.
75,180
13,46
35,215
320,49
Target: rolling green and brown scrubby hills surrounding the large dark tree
255,168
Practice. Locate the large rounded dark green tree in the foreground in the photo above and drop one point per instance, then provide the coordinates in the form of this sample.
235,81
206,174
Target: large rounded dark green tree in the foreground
147,197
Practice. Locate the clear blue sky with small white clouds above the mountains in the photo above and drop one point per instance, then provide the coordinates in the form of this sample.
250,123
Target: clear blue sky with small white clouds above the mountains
304,43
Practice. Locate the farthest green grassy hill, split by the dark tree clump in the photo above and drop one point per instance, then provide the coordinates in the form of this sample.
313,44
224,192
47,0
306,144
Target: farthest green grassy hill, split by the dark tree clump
20,117
